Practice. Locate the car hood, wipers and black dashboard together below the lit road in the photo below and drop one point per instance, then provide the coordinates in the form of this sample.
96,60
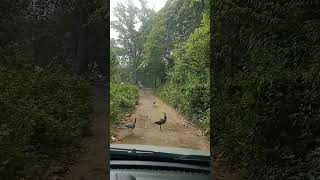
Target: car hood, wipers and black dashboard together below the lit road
131,164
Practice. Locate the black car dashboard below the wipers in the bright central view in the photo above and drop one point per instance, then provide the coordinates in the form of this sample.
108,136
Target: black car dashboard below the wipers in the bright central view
143,170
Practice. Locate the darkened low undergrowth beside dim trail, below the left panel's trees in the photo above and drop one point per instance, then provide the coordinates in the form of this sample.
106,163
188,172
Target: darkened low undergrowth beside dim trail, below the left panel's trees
43,115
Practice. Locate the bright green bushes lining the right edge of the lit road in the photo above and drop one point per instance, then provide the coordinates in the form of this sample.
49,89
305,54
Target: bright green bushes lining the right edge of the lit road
187,87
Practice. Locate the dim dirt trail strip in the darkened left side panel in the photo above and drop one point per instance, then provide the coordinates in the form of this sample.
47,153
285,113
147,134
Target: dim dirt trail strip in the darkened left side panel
93,162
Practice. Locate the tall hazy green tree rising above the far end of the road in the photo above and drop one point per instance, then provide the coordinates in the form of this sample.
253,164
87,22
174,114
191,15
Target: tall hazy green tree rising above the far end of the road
172,25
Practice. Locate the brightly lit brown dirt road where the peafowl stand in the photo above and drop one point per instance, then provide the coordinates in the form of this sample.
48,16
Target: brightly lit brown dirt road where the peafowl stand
176,132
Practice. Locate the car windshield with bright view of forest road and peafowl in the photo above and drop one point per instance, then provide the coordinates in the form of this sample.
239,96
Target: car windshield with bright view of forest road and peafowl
159,93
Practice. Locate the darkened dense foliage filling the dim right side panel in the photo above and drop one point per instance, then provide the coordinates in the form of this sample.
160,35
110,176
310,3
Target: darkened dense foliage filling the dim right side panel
266,87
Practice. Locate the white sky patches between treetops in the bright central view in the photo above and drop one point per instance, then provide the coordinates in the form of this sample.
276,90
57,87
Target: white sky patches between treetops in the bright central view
156,5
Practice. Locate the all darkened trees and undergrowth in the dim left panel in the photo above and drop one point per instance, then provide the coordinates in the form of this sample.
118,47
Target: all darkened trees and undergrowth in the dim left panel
44,105
